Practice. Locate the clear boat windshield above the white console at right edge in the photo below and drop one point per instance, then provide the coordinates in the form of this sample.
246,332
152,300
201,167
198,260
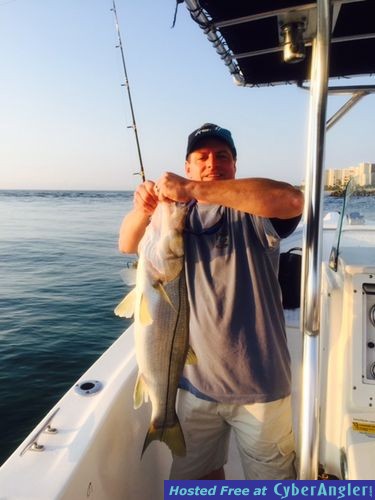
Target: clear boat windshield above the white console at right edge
358,213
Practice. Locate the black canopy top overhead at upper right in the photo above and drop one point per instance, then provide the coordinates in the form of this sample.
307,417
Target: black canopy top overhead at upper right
249,37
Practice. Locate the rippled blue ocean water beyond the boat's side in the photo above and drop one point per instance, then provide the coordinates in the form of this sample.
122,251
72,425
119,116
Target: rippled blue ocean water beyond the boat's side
59,284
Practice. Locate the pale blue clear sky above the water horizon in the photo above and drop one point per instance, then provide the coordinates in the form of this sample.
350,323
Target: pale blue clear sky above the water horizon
65,114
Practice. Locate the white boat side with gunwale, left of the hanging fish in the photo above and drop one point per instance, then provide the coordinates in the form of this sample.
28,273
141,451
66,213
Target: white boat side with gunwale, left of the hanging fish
96,450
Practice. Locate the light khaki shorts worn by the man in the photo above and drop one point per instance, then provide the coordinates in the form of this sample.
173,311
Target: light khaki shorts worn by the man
263,433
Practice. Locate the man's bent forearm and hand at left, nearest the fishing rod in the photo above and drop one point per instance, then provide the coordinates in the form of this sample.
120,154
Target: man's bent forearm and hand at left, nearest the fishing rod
135,222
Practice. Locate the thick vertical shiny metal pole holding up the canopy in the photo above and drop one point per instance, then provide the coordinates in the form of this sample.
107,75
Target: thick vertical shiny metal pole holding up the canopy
309,423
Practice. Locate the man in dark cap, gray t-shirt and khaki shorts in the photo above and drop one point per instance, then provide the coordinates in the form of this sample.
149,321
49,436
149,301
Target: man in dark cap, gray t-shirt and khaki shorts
242,378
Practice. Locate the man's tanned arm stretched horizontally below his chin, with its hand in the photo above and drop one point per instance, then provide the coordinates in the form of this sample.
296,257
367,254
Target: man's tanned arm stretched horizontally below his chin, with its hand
257,196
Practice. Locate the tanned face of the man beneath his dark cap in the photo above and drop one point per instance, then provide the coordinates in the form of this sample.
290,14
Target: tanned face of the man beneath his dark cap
211,161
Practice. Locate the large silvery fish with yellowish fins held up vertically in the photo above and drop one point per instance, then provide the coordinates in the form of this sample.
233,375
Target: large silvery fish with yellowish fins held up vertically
159,303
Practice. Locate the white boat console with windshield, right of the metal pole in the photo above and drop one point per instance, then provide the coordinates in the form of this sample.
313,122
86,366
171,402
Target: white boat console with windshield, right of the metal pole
348,348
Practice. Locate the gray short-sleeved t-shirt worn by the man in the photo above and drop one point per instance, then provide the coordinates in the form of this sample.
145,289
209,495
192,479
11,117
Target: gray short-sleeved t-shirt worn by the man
237,325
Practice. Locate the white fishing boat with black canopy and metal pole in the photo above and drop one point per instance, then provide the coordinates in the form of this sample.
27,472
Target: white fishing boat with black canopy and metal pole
89,444
